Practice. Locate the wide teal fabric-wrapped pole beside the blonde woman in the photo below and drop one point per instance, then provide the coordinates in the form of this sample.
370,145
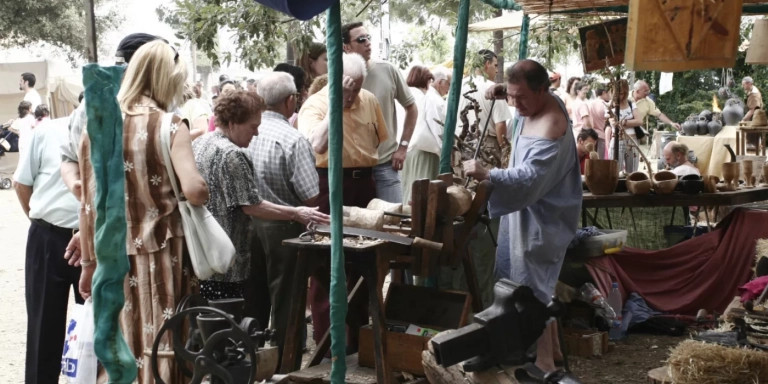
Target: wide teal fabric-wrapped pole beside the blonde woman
105,129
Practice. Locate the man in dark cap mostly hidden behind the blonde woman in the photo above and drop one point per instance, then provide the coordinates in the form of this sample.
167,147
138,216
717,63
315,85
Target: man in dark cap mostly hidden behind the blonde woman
70,171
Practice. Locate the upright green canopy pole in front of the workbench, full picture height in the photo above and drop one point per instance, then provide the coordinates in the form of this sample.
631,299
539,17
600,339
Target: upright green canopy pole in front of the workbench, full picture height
338,289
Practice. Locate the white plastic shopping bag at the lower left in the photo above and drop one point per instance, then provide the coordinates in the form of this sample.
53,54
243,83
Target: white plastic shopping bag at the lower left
78,360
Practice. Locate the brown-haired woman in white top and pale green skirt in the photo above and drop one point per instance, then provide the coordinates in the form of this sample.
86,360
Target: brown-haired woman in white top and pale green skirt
423,160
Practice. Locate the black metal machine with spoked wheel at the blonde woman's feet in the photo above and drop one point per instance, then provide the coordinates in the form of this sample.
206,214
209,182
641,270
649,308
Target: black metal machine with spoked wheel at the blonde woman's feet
217,346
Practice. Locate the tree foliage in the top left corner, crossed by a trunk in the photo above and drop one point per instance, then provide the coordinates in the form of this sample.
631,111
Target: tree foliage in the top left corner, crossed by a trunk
60,23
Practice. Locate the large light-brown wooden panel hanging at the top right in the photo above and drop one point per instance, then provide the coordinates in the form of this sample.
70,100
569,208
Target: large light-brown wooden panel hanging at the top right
679,35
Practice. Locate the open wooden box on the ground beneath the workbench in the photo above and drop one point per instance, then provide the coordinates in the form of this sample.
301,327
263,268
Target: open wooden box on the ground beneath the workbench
425,307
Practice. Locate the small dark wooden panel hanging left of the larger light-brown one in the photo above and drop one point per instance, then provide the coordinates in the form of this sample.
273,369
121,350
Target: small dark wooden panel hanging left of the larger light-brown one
602,45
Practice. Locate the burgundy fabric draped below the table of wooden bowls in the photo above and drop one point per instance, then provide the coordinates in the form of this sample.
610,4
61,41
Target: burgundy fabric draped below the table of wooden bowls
704,272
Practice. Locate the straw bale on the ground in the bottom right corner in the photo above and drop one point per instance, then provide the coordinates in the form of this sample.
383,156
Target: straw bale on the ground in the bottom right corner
693,362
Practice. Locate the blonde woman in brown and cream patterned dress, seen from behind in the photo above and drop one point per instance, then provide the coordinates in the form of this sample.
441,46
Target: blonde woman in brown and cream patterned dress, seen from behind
159,274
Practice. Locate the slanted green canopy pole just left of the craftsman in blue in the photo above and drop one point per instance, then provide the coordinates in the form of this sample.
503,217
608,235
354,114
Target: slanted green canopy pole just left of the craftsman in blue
459,54
